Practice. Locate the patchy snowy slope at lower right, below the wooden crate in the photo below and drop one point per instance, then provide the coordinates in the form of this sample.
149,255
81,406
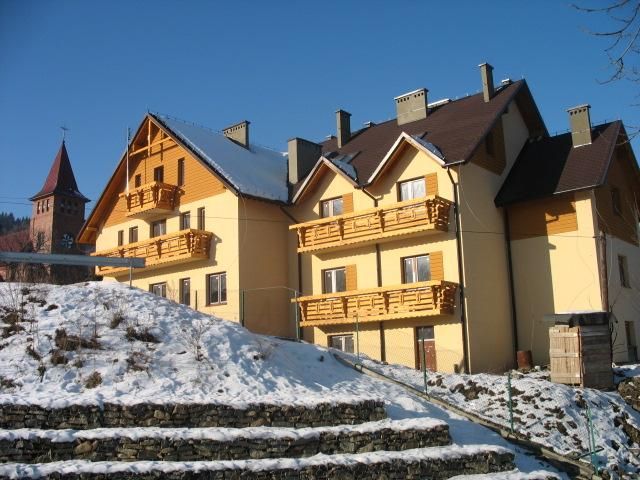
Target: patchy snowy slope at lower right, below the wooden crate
551,414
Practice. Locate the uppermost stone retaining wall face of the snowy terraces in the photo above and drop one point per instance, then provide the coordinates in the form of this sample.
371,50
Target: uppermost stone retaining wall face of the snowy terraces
82,417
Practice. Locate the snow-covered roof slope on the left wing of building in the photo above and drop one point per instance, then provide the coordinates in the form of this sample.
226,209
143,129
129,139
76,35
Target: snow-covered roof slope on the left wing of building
256,171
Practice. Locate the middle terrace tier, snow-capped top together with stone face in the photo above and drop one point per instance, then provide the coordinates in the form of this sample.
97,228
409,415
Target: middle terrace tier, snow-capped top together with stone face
135,444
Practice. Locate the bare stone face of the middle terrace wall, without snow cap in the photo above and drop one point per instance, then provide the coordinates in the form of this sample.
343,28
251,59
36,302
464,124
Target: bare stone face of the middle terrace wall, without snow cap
174,449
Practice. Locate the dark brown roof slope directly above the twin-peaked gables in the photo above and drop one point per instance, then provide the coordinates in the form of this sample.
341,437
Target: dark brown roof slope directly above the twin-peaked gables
455,128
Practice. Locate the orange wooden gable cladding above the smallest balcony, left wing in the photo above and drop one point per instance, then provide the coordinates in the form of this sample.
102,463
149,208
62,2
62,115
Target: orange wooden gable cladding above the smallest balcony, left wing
161,151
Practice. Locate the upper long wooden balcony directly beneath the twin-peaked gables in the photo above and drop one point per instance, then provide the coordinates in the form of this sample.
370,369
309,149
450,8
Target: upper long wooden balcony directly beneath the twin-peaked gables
411,217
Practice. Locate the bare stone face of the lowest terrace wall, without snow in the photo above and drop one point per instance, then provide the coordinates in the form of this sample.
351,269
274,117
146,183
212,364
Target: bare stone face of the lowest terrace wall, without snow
396,469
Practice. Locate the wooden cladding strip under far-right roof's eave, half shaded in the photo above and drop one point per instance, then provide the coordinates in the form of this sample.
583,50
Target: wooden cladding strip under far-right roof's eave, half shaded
544,217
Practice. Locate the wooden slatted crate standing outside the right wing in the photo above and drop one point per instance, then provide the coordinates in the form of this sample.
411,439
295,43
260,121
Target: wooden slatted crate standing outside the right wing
581,356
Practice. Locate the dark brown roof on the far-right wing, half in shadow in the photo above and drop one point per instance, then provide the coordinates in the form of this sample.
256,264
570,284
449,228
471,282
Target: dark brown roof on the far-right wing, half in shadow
551,165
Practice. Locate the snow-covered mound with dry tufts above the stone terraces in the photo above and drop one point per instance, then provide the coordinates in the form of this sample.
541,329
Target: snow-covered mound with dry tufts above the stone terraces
231,365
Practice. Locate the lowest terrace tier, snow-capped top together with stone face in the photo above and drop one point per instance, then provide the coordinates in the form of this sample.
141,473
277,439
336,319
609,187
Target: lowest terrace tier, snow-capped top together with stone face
436,463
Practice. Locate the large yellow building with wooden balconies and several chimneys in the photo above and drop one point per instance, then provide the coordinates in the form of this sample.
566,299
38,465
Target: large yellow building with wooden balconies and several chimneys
451,235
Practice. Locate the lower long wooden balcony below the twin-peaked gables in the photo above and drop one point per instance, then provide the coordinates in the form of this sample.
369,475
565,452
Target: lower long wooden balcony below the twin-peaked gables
422,299
